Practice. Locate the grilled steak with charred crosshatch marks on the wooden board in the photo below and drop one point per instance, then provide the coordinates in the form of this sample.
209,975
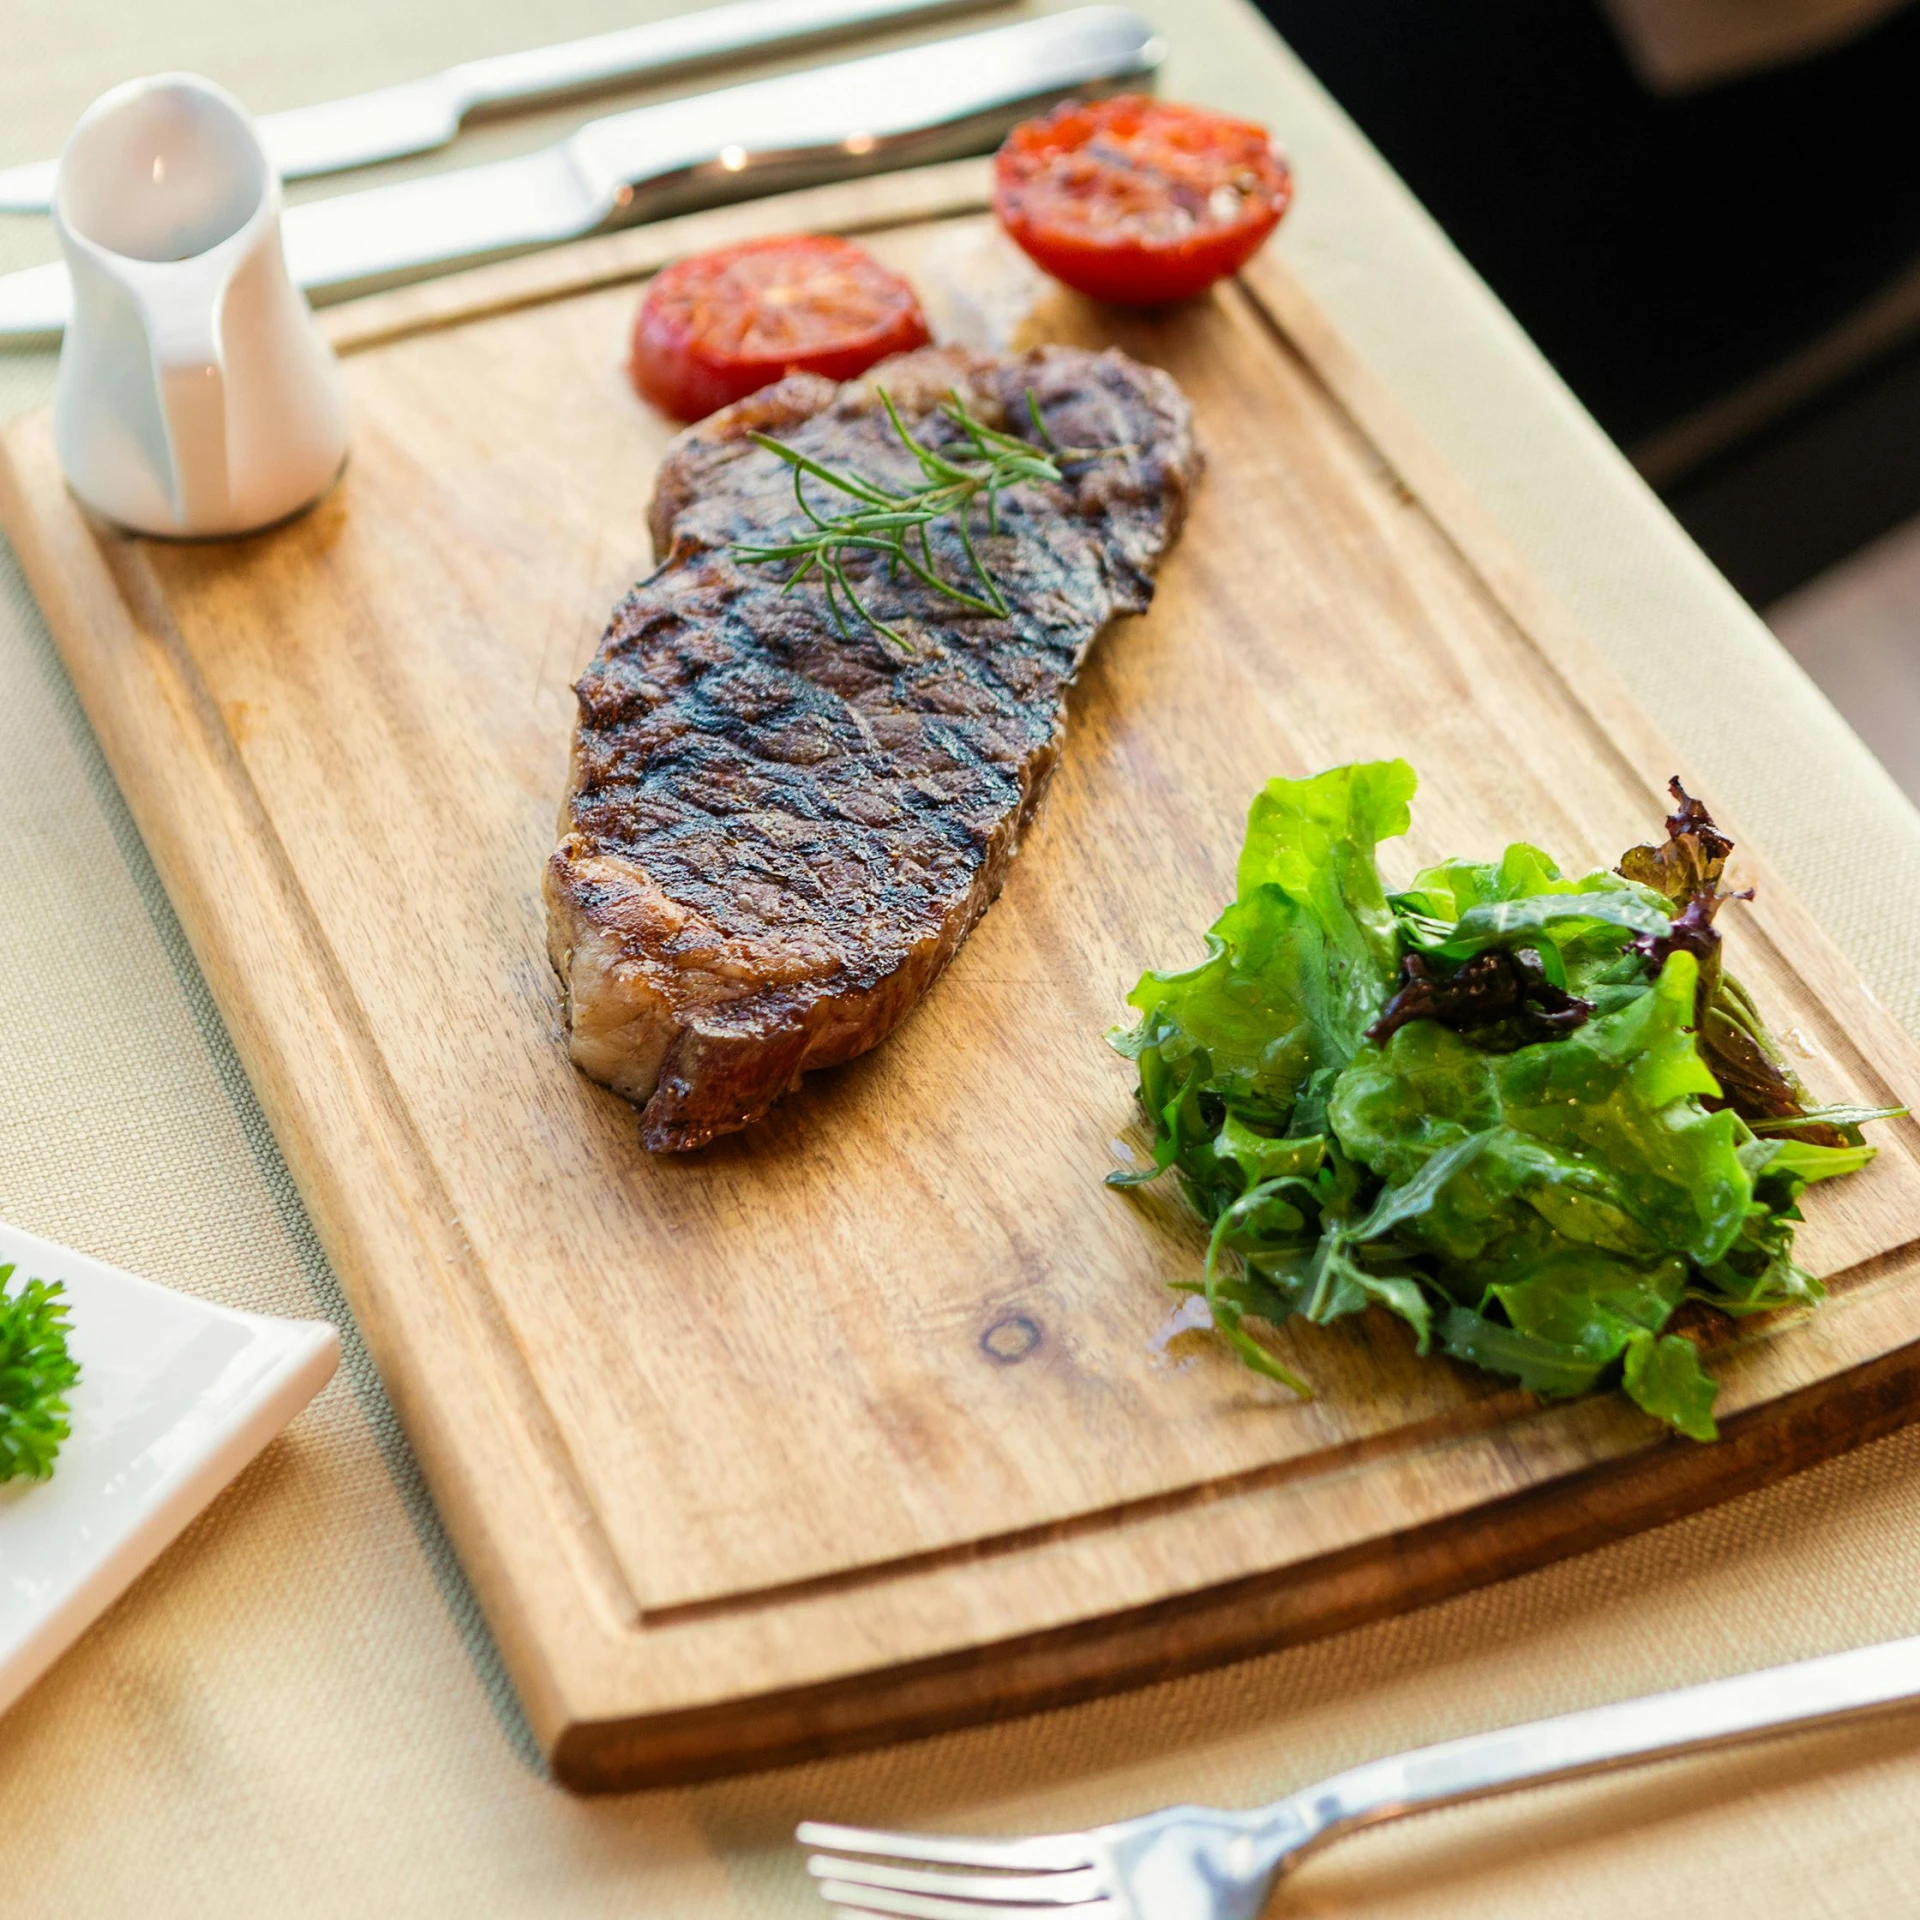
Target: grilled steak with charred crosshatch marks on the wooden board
777,834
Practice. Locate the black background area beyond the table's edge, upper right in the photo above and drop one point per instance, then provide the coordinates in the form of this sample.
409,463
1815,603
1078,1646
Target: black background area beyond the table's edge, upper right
1671,252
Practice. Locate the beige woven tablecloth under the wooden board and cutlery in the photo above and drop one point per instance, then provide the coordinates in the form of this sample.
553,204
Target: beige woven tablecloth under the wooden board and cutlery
299,1710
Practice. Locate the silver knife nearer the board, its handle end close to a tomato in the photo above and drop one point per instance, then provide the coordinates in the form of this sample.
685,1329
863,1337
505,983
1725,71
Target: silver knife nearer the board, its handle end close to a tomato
863,116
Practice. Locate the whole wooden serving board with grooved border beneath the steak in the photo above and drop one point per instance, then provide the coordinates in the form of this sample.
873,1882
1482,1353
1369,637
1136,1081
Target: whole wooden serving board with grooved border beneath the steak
871,1422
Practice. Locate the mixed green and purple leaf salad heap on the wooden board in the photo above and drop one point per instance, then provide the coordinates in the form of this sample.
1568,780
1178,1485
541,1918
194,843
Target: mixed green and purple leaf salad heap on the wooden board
1529,1115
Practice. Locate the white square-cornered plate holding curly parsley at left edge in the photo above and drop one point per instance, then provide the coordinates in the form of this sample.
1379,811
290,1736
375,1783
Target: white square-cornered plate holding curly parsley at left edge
176,1397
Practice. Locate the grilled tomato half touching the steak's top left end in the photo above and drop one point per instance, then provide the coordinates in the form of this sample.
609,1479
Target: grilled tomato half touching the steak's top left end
717,327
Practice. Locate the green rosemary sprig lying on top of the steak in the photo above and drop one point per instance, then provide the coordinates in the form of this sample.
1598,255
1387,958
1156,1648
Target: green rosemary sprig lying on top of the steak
982,466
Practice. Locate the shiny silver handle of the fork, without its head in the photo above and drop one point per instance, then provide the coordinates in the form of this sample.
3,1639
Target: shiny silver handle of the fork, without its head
1719,1714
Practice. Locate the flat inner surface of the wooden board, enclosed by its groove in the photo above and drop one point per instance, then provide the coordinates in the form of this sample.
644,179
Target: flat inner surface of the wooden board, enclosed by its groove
750,1287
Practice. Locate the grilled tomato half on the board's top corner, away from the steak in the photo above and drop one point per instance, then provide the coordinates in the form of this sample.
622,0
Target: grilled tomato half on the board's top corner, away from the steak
1140,201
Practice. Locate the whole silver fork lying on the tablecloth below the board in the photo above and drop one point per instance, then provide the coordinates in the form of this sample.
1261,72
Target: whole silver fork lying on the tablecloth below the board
1207,1863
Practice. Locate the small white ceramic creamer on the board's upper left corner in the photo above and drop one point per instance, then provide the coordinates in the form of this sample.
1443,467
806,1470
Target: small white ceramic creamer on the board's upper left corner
195,393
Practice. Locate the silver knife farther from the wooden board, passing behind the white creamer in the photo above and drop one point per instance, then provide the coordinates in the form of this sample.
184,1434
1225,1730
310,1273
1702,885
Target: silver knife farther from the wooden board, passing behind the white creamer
420,116
